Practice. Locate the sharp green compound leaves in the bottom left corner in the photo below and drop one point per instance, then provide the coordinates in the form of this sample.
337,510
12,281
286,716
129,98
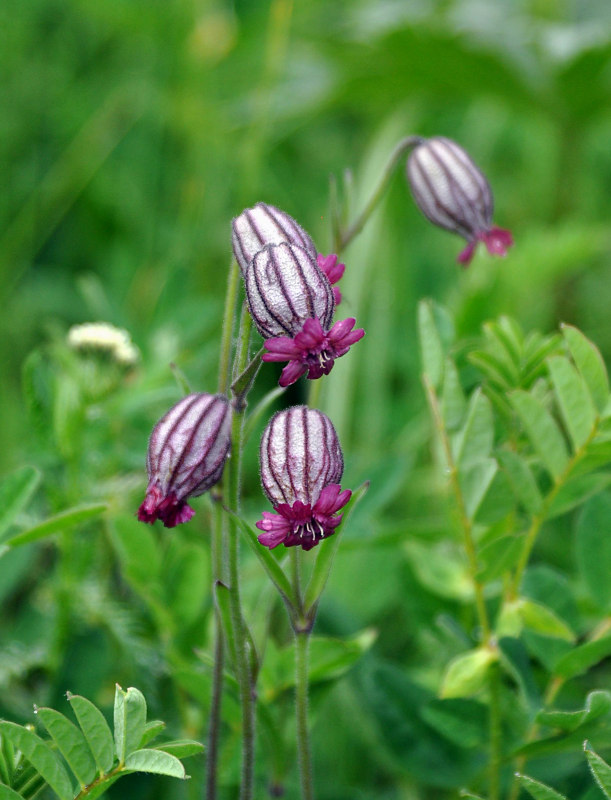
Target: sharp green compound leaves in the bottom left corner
95,760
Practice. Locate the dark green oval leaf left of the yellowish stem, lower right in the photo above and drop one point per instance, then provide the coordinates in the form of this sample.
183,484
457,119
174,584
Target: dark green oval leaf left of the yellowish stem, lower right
462,721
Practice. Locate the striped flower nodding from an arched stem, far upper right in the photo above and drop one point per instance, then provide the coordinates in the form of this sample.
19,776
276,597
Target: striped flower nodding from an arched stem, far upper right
454,194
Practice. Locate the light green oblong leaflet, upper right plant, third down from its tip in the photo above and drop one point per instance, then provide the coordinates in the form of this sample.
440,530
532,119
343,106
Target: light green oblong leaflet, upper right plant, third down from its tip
542,431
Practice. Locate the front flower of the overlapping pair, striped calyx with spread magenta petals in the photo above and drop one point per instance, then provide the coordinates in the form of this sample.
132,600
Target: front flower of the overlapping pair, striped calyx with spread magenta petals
291,302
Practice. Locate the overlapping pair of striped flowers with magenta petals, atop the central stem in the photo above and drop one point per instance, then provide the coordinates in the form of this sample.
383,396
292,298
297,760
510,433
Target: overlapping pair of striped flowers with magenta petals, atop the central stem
290,294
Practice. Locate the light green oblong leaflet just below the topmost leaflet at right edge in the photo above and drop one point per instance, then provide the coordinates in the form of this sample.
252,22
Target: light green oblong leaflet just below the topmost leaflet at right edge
576,407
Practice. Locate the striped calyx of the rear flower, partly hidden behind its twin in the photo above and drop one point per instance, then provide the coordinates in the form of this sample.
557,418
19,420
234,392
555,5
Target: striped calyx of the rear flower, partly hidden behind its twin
261,225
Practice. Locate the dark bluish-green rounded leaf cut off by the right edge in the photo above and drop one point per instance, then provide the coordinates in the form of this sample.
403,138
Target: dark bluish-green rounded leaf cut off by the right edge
593,545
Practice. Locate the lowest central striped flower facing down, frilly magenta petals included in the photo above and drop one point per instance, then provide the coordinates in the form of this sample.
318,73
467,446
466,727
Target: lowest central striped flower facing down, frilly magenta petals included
301,466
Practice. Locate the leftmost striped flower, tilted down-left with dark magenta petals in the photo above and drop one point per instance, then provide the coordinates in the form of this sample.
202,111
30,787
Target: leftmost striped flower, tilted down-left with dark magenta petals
186,455
